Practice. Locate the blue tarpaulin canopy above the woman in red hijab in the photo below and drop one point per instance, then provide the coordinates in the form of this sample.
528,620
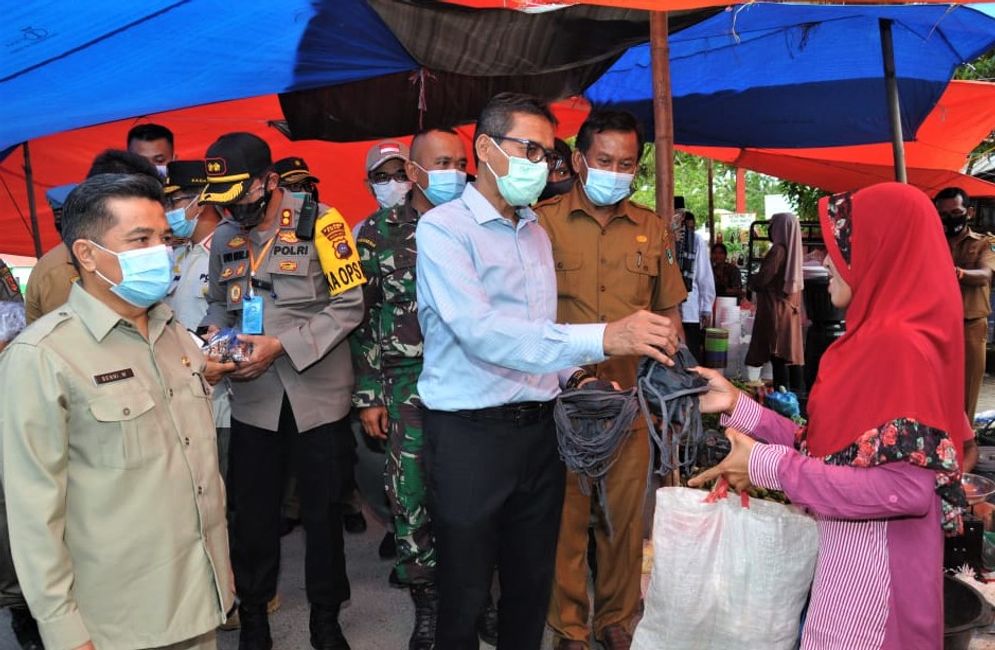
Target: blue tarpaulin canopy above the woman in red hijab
783,75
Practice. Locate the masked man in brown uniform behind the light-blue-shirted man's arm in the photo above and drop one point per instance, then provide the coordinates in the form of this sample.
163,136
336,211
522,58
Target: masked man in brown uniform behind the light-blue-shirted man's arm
612,258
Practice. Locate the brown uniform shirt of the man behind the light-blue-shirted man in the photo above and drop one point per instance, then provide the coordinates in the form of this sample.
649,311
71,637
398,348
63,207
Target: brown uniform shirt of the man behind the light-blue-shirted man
606,273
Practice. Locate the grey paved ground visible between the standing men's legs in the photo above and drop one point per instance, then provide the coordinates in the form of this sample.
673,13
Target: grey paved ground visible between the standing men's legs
378,617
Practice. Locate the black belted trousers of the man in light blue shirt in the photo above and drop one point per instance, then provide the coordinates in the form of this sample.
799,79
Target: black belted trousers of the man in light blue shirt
495,494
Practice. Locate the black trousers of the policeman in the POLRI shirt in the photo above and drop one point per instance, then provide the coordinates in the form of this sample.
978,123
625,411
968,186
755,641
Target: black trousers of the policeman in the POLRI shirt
258,461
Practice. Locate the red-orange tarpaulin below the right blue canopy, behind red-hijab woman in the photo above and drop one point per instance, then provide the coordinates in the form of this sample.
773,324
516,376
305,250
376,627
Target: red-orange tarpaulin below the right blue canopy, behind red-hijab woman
963,117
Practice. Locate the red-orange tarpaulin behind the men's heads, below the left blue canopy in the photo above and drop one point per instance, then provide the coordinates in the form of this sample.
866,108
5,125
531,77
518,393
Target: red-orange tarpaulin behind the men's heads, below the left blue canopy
65,158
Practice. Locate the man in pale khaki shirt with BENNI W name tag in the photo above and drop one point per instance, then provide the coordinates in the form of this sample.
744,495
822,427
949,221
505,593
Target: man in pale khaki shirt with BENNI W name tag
116,506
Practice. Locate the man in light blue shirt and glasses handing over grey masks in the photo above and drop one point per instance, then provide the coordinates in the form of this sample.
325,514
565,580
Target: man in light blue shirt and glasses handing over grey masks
495,359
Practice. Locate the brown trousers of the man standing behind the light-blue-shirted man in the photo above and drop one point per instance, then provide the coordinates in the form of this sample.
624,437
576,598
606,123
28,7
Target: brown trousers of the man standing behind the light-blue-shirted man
616,587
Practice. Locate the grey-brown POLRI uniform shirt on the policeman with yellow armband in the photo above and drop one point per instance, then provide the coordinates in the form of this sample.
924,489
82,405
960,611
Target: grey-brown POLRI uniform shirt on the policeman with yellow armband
316,370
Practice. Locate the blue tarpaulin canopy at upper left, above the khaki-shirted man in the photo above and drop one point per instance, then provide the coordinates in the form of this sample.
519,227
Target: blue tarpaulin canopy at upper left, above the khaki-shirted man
67,64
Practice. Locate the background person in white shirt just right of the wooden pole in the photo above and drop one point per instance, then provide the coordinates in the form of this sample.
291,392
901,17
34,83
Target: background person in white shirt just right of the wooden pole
696,311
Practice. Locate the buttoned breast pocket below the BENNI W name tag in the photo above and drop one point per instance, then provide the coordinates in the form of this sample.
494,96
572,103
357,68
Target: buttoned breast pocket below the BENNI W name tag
117,436
